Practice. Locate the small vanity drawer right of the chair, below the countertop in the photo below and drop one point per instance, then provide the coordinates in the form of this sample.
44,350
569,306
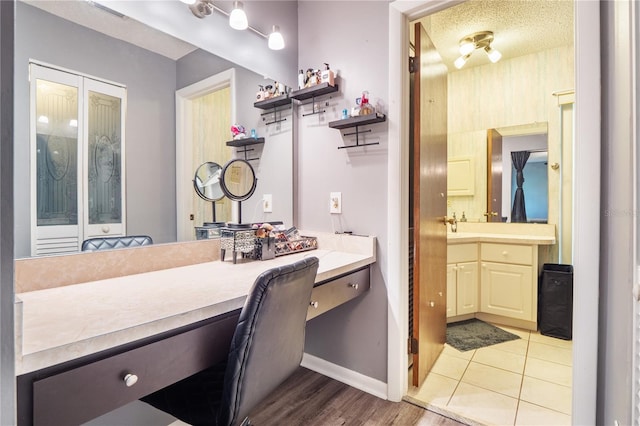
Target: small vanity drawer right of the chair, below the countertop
329,294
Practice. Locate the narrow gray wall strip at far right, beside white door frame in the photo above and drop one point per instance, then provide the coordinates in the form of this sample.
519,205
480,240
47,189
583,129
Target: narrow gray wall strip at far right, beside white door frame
615,342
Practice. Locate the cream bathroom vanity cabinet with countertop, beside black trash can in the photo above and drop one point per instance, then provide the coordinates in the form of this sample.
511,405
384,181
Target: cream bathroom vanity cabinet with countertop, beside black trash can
494,277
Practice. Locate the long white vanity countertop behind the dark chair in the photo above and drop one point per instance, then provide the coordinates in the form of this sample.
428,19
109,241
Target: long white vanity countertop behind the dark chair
72,321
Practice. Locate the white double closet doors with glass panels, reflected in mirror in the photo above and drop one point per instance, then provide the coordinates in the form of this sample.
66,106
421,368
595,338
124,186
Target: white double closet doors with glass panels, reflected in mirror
77,173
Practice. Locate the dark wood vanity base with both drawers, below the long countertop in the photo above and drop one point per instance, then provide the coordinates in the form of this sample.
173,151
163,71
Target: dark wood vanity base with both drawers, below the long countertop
77,391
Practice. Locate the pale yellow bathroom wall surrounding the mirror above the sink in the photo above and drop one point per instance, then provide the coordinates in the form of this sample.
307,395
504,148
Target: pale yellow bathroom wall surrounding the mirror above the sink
510,93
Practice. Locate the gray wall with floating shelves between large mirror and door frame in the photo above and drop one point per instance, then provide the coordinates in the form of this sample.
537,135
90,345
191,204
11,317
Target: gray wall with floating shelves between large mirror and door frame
353,38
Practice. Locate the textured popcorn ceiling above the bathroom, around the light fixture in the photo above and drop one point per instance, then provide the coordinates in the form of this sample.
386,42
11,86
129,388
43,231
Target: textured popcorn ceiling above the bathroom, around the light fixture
520,27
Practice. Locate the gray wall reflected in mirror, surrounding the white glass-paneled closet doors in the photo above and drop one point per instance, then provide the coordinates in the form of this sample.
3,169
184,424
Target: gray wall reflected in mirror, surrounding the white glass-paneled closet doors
150,125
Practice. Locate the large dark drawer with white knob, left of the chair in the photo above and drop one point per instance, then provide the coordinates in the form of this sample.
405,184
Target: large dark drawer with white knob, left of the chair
90,390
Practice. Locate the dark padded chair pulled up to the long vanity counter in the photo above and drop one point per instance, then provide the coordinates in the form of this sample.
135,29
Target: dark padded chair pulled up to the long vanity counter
266,349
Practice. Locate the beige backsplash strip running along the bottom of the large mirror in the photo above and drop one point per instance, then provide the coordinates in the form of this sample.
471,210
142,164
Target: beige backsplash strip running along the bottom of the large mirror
55,271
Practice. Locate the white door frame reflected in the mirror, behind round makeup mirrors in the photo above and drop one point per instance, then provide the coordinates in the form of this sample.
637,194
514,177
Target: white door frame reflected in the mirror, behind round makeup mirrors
184,174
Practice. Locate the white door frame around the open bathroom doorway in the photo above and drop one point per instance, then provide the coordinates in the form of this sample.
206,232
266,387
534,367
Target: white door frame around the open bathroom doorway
586,241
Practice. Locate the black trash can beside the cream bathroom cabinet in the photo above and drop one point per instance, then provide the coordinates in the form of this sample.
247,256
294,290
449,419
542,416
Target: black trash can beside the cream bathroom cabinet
555,301
